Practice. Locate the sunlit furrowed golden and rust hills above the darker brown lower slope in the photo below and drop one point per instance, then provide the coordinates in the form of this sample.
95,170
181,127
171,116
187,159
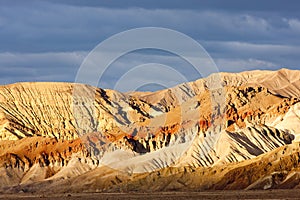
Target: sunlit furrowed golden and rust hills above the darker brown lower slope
53,131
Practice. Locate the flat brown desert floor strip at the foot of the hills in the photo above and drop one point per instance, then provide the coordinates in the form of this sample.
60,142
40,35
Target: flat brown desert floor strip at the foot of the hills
269,194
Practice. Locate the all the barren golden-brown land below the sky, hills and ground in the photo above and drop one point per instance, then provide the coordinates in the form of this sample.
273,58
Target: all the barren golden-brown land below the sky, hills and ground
229,133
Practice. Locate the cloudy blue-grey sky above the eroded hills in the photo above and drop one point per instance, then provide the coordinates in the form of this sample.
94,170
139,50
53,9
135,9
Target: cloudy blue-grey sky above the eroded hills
48,40
